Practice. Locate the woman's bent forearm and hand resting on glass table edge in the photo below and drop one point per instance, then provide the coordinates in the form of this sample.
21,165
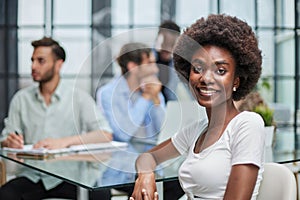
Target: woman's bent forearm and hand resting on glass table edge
145,187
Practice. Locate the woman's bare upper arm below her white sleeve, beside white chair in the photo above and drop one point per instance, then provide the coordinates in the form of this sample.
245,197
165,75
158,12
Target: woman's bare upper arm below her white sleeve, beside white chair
241,182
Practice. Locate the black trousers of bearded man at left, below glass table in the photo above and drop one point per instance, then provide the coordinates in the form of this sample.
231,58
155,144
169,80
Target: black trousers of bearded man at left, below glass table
24,189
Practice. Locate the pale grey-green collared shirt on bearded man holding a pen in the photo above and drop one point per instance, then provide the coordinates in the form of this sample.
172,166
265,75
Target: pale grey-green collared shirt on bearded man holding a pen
71,112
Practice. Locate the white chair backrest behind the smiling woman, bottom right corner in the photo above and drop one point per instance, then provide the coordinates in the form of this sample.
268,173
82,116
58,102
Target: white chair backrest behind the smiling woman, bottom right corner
278,183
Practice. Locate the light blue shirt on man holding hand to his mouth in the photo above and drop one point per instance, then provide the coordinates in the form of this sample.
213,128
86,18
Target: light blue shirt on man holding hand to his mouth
131,116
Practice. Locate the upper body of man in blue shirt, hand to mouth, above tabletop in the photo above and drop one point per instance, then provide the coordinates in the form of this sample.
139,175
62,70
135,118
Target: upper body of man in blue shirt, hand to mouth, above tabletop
133,103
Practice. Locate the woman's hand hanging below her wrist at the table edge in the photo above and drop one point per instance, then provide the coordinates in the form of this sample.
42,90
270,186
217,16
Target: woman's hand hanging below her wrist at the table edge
145,188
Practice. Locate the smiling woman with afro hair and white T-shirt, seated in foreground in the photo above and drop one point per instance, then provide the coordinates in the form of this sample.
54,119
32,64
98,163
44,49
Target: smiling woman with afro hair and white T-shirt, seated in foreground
220,59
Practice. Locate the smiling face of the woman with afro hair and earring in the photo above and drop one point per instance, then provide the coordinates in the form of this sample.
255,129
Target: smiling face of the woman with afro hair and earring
212,75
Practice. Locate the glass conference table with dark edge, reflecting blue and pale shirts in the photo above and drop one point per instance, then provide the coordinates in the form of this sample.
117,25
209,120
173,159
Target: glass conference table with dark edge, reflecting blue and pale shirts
112,168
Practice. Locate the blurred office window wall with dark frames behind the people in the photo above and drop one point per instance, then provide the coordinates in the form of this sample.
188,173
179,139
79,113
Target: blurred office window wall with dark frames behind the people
88,28
